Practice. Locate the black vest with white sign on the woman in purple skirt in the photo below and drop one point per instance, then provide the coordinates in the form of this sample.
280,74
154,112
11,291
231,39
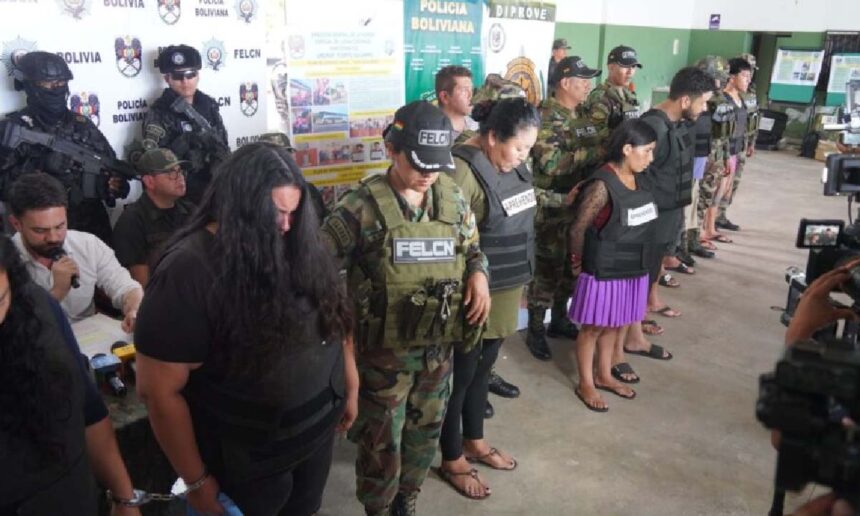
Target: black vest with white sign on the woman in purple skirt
622,248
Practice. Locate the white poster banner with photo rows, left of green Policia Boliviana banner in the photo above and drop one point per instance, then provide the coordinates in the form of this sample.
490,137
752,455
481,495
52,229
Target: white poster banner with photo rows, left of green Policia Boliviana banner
344,83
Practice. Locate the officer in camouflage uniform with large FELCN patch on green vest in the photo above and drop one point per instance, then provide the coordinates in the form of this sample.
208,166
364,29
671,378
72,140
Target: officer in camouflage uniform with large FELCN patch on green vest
409,244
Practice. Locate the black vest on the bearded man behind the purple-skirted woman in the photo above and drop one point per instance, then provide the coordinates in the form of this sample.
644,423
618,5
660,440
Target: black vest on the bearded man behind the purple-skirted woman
671,181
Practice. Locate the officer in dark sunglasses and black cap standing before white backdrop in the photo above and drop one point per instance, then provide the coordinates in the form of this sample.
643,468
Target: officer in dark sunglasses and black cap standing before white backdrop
169,124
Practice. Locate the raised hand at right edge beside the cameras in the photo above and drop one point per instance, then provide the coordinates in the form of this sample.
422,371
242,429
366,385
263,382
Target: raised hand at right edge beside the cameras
815,309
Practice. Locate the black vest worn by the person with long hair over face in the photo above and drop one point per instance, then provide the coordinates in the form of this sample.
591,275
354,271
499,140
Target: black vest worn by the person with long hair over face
268,425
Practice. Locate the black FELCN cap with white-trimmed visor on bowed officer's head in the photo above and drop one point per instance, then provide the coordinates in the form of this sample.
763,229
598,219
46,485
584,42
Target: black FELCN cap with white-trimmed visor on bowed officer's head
425,134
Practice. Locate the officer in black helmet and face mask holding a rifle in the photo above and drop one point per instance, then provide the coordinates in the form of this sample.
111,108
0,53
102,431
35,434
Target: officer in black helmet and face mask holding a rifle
44,77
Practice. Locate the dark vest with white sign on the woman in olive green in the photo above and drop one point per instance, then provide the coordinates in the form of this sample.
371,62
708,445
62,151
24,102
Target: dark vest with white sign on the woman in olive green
507,231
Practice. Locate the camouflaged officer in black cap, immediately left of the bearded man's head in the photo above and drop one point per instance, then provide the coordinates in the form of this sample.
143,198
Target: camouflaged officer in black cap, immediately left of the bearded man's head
613,101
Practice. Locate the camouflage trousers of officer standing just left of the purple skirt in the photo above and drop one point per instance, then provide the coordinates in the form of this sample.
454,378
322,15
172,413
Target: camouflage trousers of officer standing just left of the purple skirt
553,279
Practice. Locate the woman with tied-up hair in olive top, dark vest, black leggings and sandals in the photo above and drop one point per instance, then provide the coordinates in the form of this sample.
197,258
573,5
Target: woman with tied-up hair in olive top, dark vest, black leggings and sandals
492,172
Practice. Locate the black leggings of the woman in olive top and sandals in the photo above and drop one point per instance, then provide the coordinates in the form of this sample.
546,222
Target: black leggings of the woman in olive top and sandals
468,397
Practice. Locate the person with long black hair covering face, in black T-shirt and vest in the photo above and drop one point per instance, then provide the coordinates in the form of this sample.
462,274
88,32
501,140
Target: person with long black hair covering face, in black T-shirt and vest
240,360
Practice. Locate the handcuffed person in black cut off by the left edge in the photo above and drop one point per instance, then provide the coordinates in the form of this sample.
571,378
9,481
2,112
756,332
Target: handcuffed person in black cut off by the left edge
54,427
